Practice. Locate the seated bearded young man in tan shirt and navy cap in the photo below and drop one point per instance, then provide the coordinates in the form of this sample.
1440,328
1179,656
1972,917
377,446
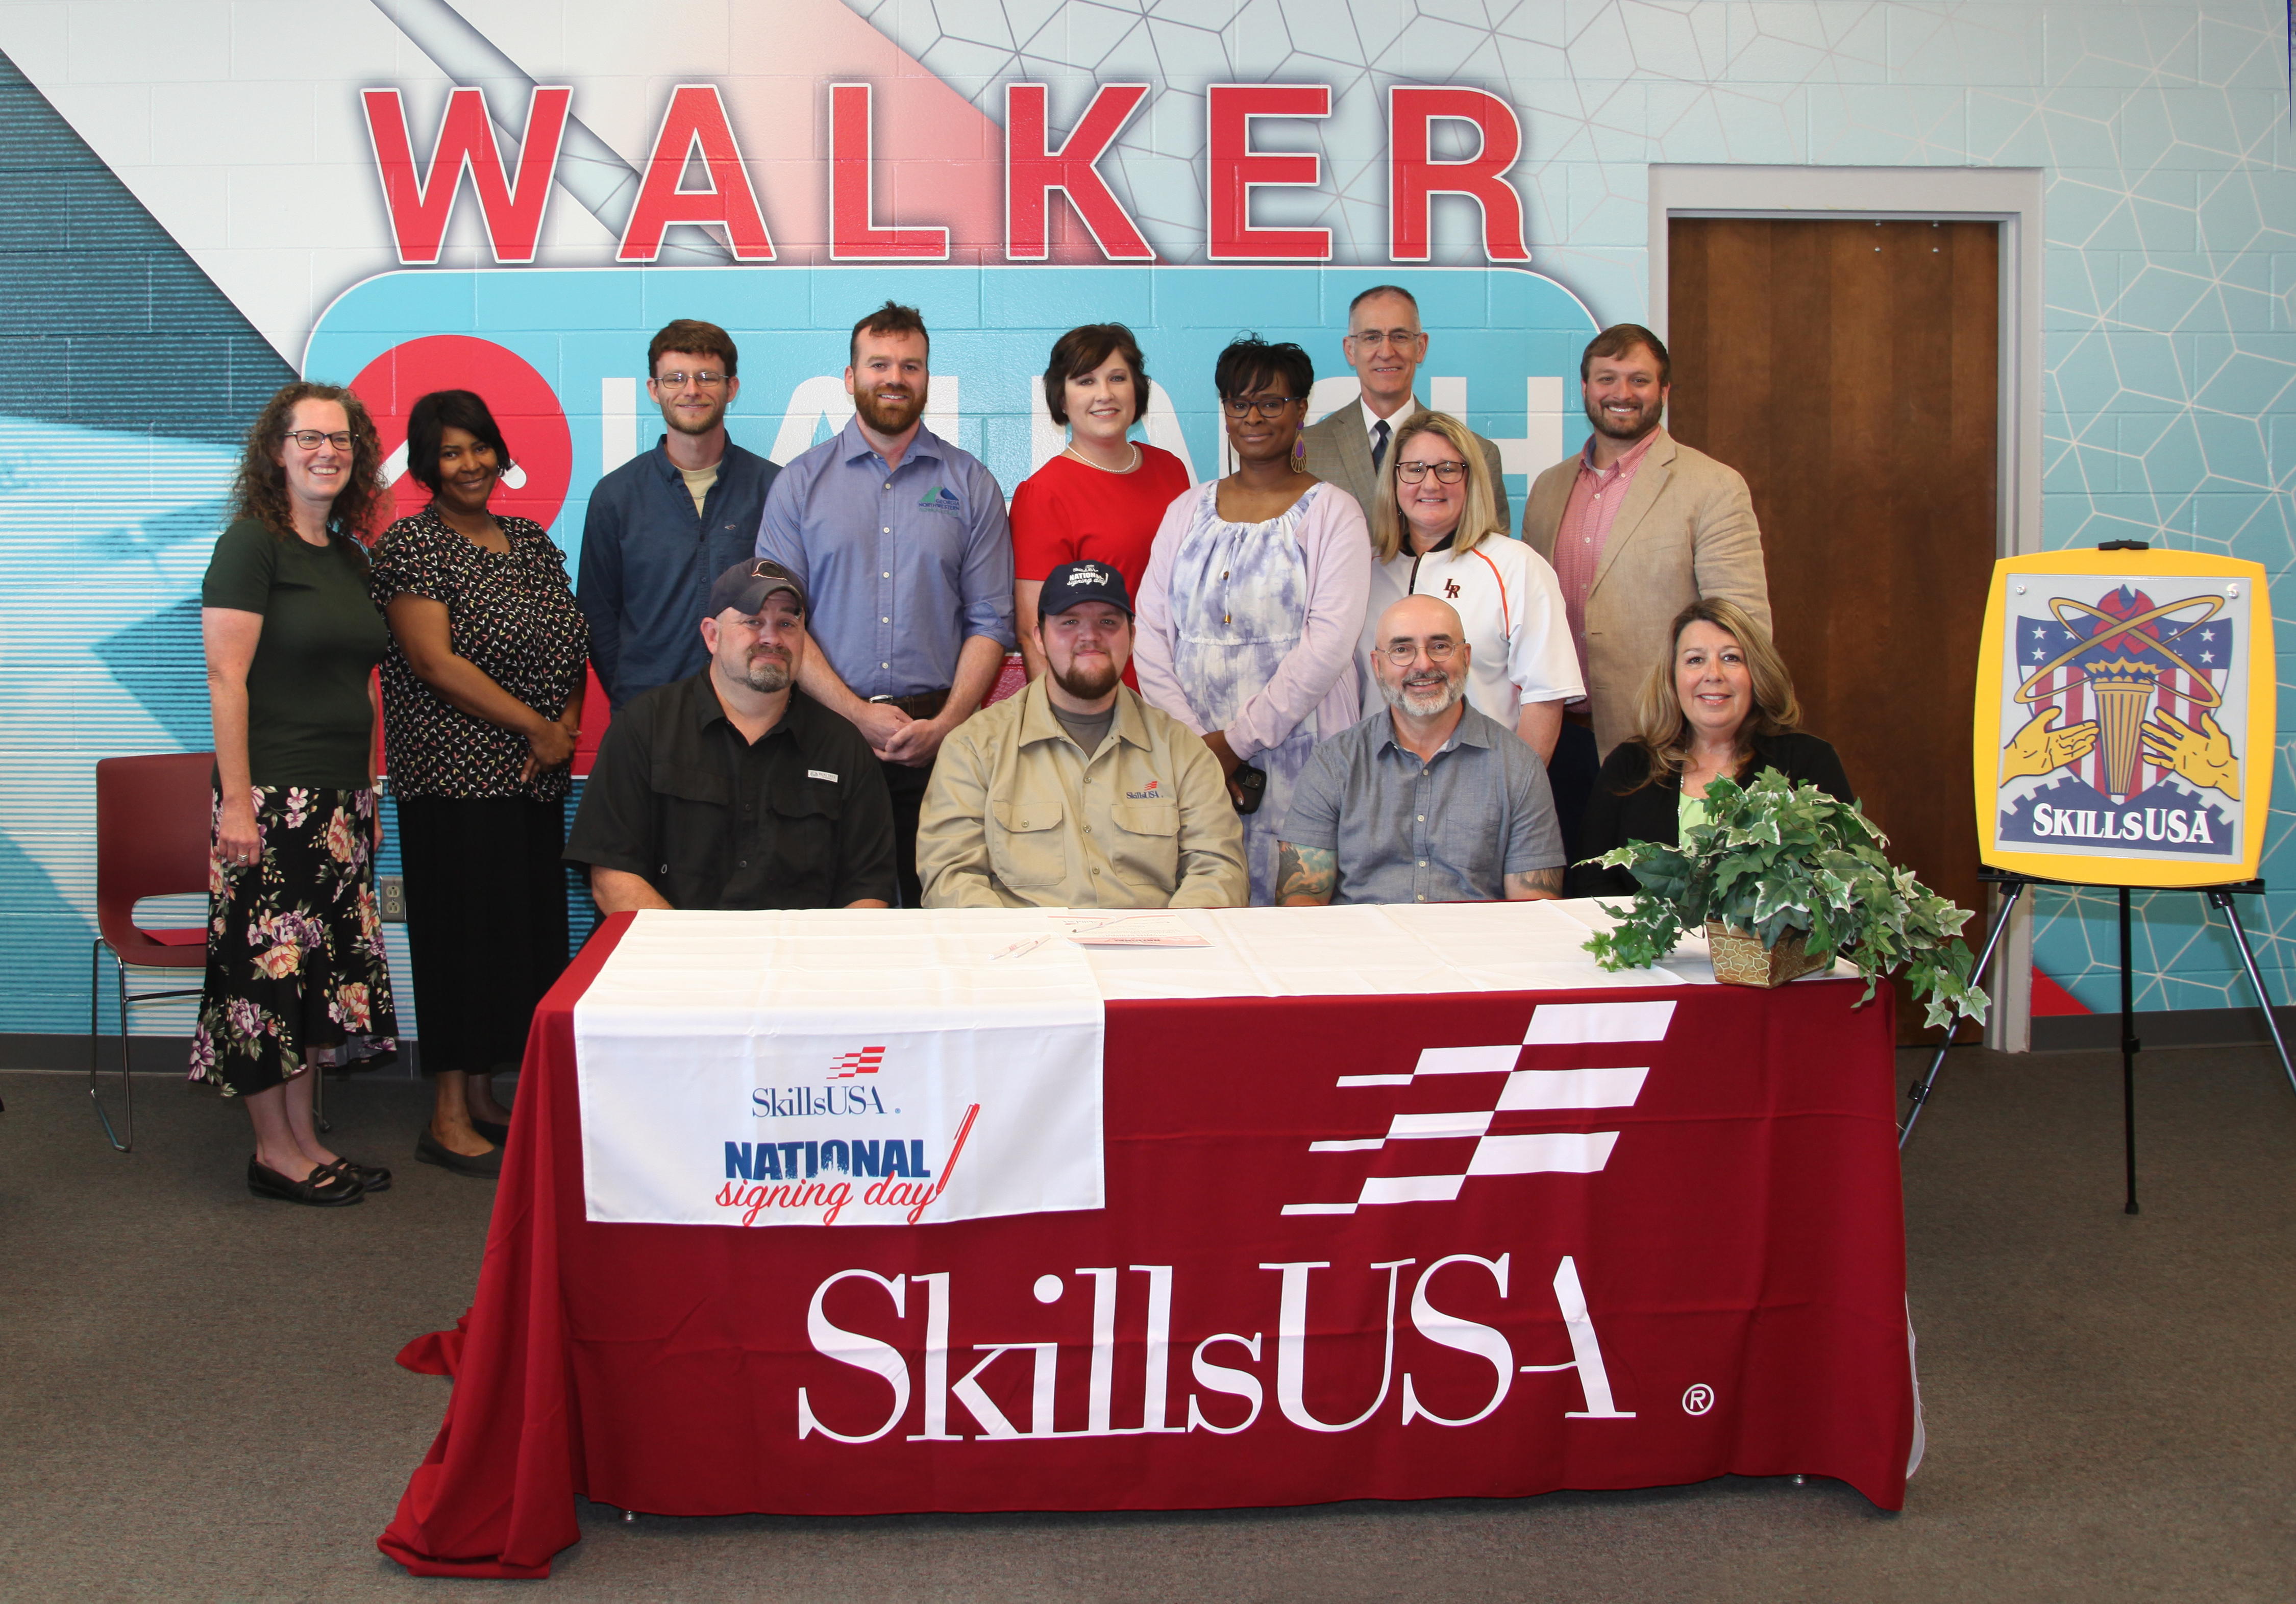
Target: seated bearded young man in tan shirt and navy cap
1076,793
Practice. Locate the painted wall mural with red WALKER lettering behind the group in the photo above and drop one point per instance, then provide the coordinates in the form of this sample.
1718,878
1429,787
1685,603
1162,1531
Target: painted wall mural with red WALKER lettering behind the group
208,198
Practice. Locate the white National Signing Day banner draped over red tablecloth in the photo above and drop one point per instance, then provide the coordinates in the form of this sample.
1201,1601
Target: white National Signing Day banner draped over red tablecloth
839,1068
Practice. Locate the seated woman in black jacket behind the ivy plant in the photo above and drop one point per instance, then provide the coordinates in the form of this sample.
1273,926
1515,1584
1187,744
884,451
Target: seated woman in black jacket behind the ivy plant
1721,706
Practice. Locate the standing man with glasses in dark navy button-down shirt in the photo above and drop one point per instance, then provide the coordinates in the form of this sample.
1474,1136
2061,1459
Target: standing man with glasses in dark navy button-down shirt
667,524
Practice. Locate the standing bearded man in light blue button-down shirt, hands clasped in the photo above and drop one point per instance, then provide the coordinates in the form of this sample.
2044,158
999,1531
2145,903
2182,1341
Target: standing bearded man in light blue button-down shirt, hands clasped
901,543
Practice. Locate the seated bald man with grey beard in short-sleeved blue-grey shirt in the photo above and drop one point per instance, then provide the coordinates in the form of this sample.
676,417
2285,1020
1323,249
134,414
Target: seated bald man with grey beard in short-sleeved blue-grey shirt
1427,800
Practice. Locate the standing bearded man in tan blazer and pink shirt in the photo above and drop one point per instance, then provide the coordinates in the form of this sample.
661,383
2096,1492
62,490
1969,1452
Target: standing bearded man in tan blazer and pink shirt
1638,527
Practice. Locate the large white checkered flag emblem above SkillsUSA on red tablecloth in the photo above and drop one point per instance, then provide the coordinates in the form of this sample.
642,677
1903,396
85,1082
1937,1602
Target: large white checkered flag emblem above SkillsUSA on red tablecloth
1519,1093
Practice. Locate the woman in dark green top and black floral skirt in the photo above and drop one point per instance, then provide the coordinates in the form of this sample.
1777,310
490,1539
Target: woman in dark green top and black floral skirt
295,951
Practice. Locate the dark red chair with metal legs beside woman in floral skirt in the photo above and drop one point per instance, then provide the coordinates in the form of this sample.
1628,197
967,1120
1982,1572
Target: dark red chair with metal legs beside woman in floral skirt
155,820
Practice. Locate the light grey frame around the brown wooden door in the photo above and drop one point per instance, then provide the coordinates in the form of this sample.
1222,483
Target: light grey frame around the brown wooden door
2006,196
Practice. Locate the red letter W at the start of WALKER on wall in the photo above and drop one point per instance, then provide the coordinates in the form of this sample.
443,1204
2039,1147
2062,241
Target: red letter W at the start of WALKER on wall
421,201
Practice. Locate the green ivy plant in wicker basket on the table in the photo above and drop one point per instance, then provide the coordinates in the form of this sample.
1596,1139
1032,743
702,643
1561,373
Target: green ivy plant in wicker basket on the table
1785,880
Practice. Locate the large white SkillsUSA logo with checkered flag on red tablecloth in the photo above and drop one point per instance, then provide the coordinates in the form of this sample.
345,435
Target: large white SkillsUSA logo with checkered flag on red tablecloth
1500,1098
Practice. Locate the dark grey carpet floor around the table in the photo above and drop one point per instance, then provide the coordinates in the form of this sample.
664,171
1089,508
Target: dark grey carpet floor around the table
199,1396
